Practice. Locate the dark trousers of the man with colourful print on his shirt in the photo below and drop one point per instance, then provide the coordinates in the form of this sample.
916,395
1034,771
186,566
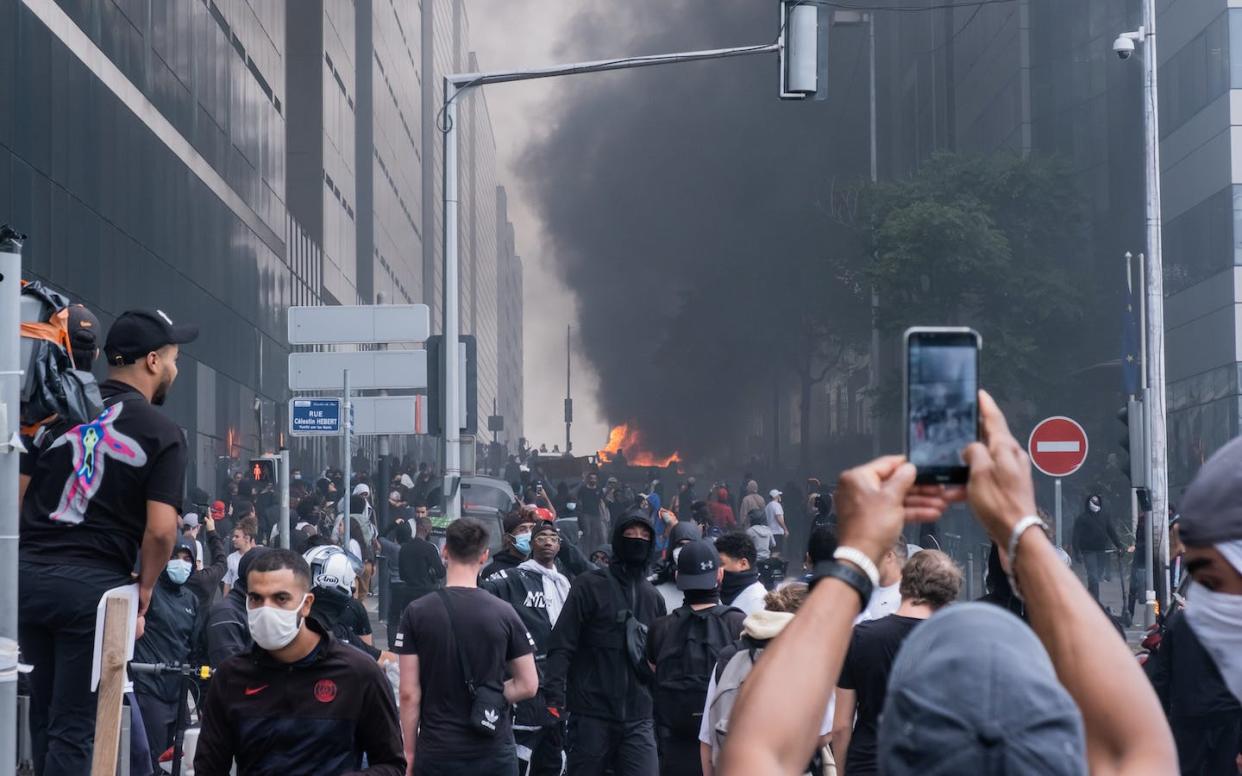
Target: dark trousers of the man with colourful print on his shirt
57,633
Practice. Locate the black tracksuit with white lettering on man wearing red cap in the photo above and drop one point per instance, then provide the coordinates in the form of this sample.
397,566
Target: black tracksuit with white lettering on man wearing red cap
535,727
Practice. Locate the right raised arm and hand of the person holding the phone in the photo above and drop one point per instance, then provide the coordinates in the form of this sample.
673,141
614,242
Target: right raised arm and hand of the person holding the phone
1126,728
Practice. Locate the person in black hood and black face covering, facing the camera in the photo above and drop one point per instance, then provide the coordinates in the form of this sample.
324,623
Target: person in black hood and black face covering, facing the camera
598,671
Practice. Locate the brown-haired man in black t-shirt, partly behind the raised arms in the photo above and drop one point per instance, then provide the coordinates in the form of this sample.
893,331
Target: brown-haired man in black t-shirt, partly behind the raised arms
931,580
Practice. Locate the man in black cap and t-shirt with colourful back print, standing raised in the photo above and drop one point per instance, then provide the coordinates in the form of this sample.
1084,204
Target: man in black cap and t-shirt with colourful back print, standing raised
100,496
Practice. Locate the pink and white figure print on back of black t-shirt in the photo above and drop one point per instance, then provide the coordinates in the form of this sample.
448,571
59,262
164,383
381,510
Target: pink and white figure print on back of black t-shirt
94,444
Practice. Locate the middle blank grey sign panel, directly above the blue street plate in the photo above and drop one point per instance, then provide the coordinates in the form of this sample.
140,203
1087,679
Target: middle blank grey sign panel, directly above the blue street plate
368,371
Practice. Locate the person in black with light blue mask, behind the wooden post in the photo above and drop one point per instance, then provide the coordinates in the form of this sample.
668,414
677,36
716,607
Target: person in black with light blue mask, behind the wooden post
170,635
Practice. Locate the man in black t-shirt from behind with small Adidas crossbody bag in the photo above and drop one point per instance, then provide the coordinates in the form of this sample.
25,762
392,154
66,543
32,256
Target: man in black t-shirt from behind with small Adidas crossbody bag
435,701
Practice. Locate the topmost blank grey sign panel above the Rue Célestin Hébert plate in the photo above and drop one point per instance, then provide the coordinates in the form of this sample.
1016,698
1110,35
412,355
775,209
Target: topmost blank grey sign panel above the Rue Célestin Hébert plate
360,325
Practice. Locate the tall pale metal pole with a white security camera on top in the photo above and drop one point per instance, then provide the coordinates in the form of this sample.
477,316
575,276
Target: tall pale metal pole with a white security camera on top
1154,402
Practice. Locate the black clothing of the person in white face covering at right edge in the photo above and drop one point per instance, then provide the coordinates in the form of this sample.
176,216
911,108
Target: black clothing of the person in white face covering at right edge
1204,716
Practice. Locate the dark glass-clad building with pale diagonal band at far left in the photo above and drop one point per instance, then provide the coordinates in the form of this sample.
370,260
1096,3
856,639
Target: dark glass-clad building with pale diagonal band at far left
143,152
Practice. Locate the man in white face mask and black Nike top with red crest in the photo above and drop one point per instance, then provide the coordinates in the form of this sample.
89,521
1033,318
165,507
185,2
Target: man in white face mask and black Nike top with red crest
300,702
